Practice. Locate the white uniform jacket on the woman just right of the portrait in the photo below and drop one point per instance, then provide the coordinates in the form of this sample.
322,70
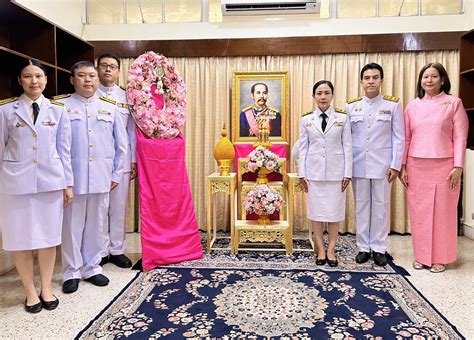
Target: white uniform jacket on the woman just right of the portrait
325,156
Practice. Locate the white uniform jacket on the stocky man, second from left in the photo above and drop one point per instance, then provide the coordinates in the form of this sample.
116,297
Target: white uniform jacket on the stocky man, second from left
99,143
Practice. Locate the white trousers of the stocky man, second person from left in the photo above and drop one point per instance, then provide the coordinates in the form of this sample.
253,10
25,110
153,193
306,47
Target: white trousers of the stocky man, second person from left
82,235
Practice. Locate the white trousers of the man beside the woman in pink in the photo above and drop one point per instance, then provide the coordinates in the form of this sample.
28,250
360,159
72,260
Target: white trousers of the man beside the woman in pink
372,203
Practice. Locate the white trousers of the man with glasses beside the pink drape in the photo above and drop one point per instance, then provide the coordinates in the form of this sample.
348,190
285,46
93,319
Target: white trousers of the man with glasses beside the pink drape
114,226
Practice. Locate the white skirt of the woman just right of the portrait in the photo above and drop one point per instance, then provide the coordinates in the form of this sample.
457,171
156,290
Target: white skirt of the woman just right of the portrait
325,201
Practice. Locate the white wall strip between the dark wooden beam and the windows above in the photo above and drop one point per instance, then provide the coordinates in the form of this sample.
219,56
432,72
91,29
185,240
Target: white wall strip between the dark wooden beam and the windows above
267,29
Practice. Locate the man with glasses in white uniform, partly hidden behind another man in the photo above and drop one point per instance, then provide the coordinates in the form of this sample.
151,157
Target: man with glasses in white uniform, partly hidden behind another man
113,247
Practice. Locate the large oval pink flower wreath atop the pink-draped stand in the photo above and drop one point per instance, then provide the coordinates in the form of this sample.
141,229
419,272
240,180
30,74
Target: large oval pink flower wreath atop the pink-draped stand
156,96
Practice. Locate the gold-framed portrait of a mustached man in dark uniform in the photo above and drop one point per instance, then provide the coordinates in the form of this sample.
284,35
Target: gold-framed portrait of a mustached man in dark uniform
260,92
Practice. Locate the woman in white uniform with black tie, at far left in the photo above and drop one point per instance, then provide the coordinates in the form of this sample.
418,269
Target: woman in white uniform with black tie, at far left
35,181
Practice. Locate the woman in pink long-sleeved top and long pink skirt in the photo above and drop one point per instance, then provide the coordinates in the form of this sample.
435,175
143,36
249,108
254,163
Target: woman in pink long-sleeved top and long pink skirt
436,127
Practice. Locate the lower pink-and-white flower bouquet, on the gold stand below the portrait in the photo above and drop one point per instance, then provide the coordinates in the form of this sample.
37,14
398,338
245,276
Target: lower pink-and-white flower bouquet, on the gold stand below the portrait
263,200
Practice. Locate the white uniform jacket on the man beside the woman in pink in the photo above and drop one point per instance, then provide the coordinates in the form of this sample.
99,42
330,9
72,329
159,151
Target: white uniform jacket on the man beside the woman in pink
378,135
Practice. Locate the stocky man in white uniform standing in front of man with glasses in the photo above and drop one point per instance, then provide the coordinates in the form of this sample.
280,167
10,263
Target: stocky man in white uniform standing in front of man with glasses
97,156
